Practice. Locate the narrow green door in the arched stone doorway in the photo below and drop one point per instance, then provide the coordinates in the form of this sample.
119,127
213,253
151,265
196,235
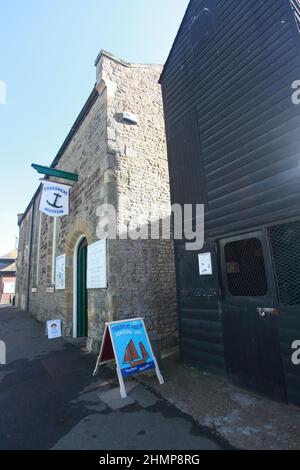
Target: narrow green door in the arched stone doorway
82,324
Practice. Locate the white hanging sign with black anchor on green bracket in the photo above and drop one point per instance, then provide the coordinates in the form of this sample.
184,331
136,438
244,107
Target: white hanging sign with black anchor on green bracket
54,199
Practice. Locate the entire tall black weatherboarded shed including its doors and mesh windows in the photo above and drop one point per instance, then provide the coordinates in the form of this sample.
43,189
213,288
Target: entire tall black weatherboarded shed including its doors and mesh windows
234,144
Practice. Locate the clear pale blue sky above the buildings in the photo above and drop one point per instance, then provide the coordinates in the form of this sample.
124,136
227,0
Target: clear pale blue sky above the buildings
47,54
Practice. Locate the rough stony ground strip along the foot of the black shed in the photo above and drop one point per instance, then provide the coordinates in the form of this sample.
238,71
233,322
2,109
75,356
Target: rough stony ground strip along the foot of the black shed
245,420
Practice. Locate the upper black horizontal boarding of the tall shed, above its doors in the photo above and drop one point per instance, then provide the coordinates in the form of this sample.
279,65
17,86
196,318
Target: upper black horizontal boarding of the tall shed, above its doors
239,85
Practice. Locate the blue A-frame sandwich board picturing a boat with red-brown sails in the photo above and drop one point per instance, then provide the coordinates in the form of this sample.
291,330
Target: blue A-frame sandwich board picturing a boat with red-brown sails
127,343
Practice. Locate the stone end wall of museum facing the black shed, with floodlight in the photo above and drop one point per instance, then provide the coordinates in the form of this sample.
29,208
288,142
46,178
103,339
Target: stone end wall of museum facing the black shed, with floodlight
142,276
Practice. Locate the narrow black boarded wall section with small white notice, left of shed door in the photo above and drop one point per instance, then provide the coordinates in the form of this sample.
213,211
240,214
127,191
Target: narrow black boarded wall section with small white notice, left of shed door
200,322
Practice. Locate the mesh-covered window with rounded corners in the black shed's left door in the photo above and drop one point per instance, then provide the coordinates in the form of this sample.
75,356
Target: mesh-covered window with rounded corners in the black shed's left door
245,266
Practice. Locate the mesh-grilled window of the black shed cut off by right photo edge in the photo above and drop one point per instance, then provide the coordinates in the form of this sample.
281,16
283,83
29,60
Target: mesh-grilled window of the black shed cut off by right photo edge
285,244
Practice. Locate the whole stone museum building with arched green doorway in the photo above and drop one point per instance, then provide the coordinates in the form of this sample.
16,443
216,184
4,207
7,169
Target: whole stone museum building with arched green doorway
121,160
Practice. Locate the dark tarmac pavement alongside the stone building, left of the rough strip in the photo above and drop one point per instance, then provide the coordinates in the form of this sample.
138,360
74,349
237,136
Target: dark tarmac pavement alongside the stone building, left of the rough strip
49,400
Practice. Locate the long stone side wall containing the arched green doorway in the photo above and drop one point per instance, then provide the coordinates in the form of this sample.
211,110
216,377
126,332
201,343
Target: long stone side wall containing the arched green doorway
84,155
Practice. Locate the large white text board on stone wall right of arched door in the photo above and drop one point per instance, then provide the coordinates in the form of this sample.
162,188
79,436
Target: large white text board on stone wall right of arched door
96,265
